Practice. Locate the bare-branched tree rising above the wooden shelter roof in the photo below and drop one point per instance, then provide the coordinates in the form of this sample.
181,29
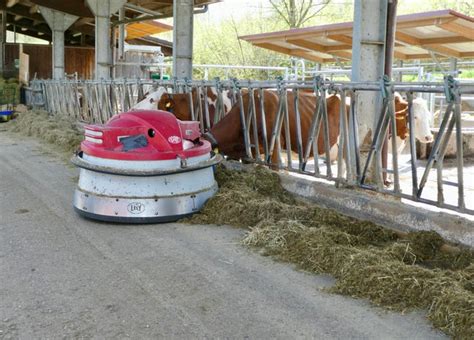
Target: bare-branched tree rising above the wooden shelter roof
297,12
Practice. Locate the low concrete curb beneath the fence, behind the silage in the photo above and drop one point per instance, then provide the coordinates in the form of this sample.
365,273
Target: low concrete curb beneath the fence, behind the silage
386,211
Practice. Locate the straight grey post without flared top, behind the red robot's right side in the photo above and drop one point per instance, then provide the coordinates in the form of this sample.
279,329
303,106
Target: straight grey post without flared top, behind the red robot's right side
183,38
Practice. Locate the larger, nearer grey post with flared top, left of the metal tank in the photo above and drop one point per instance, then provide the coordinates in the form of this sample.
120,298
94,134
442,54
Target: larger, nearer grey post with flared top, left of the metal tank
103,56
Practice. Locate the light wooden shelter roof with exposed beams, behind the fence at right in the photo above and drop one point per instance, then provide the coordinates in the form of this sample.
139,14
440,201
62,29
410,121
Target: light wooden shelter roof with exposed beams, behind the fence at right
445,32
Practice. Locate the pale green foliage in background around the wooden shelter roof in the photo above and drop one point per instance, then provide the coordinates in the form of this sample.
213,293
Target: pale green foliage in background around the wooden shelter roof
217,42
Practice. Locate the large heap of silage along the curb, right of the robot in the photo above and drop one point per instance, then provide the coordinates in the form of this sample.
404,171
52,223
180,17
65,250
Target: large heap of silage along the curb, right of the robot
392,269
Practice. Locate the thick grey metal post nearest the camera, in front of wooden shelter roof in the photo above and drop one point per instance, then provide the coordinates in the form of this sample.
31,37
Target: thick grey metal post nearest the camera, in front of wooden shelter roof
368,43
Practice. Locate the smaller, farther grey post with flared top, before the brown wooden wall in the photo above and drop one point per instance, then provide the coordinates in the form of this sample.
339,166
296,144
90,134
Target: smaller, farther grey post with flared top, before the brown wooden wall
59,22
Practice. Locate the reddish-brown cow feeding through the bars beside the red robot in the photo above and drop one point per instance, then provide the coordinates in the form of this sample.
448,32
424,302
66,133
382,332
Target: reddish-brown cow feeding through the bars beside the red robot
228,137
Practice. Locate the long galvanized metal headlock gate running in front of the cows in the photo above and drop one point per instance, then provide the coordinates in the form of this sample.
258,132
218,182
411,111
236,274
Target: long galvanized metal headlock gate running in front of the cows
97,101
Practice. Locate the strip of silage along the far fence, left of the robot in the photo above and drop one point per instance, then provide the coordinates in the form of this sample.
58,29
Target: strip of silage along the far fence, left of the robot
60,131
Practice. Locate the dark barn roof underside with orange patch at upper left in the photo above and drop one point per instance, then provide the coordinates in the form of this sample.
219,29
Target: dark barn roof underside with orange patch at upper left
25,17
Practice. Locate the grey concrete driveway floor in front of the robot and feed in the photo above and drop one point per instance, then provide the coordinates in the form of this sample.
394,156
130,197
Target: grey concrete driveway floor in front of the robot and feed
63,276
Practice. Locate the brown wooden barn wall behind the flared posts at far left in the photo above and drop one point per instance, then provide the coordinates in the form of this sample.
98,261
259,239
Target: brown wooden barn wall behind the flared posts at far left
77,59
